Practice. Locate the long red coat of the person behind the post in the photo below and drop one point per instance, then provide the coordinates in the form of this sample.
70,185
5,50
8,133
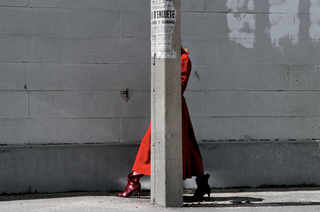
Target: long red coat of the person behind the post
192,160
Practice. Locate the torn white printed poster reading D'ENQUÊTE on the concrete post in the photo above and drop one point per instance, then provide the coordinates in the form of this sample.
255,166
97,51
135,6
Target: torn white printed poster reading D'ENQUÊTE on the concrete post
163,22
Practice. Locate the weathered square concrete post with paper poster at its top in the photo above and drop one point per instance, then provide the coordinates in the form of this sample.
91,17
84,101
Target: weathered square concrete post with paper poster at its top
166,151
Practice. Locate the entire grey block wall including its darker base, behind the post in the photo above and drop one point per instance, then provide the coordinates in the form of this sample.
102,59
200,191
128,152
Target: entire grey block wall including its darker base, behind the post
253,93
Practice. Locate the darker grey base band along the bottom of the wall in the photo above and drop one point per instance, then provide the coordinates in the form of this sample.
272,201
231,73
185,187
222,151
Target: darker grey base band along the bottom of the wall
92,167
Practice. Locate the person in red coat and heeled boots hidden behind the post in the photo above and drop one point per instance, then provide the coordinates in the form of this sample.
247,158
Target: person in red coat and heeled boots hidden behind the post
192,160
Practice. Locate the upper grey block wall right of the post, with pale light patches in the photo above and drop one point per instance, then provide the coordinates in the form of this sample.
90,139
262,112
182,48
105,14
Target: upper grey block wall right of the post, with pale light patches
255,68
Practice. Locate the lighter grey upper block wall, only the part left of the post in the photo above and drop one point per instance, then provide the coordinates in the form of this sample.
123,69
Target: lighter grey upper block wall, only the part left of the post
63,65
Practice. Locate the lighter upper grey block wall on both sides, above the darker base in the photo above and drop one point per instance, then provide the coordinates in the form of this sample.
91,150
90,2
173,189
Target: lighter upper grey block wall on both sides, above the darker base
63,64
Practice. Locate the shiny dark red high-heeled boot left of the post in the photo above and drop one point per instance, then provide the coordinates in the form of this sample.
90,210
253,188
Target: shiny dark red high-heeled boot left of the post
132,187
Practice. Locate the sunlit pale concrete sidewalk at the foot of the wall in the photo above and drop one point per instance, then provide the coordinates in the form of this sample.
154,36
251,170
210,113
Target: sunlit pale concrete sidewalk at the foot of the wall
289,201
